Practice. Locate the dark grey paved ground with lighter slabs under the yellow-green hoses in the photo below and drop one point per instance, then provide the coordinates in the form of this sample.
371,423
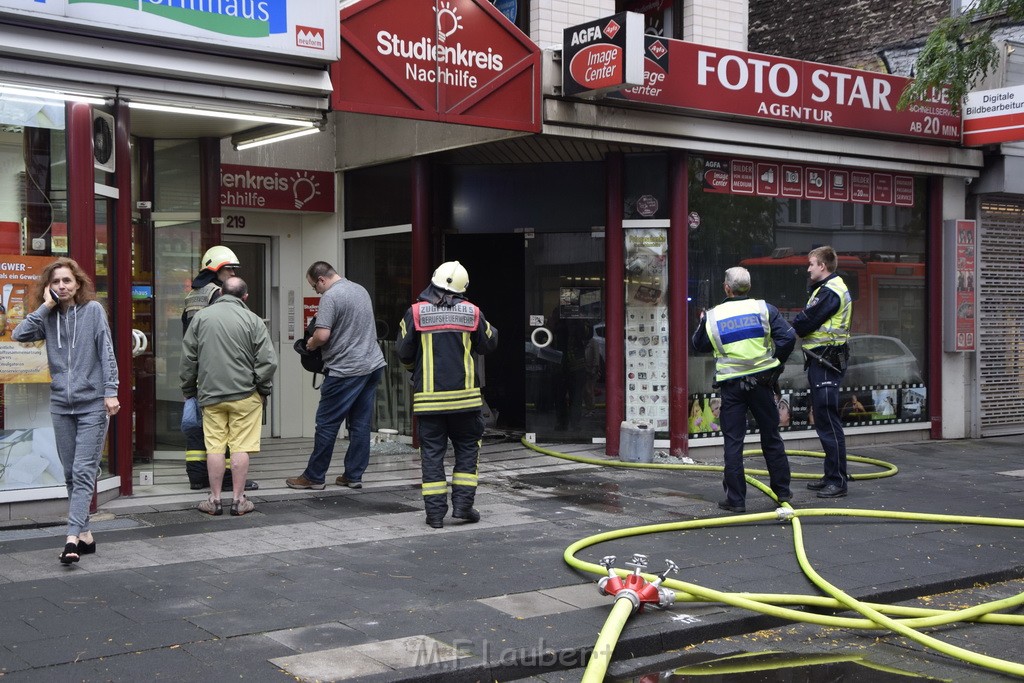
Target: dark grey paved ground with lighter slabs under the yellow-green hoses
353,585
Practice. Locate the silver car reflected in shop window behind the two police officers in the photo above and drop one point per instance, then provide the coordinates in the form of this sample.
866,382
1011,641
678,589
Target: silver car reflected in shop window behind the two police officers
875,361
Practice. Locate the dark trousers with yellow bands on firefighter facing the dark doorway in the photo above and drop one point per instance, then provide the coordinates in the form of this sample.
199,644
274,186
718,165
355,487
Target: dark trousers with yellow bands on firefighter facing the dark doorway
465,431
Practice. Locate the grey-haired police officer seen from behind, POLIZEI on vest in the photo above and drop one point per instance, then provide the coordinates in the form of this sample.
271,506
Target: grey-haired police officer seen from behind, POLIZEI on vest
751,341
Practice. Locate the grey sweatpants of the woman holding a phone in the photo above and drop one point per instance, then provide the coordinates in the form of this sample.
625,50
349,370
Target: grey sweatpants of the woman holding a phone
80,446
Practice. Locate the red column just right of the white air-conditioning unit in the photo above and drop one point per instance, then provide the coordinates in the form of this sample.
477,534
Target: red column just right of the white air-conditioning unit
121,282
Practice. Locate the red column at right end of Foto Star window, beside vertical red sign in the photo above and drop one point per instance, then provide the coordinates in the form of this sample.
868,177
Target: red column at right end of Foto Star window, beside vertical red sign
935,305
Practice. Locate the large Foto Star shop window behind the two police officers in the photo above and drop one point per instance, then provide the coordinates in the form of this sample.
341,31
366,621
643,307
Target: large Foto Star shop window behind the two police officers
881,249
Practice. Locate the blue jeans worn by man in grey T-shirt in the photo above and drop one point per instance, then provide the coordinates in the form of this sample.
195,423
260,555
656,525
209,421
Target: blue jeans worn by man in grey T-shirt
345,398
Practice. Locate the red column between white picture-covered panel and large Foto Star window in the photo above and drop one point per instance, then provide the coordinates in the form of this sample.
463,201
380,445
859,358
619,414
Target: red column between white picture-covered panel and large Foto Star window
678,319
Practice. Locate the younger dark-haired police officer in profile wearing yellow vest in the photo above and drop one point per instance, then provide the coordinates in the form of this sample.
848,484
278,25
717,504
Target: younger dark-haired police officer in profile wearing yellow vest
825,327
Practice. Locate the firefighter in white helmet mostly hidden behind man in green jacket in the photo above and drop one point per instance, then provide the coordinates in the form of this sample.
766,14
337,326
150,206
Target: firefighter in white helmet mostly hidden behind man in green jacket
218,266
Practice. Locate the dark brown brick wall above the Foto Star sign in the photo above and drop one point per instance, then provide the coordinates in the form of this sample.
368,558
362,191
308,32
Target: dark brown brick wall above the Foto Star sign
847,34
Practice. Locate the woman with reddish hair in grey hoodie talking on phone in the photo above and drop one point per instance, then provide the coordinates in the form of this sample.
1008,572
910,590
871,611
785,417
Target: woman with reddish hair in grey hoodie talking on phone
83,385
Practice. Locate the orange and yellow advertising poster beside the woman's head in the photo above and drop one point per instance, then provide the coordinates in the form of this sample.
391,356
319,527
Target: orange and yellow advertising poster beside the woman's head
20,363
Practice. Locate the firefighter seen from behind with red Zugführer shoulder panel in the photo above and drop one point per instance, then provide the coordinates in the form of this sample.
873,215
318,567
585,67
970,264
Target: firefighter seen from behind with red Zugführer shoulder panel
437,341
